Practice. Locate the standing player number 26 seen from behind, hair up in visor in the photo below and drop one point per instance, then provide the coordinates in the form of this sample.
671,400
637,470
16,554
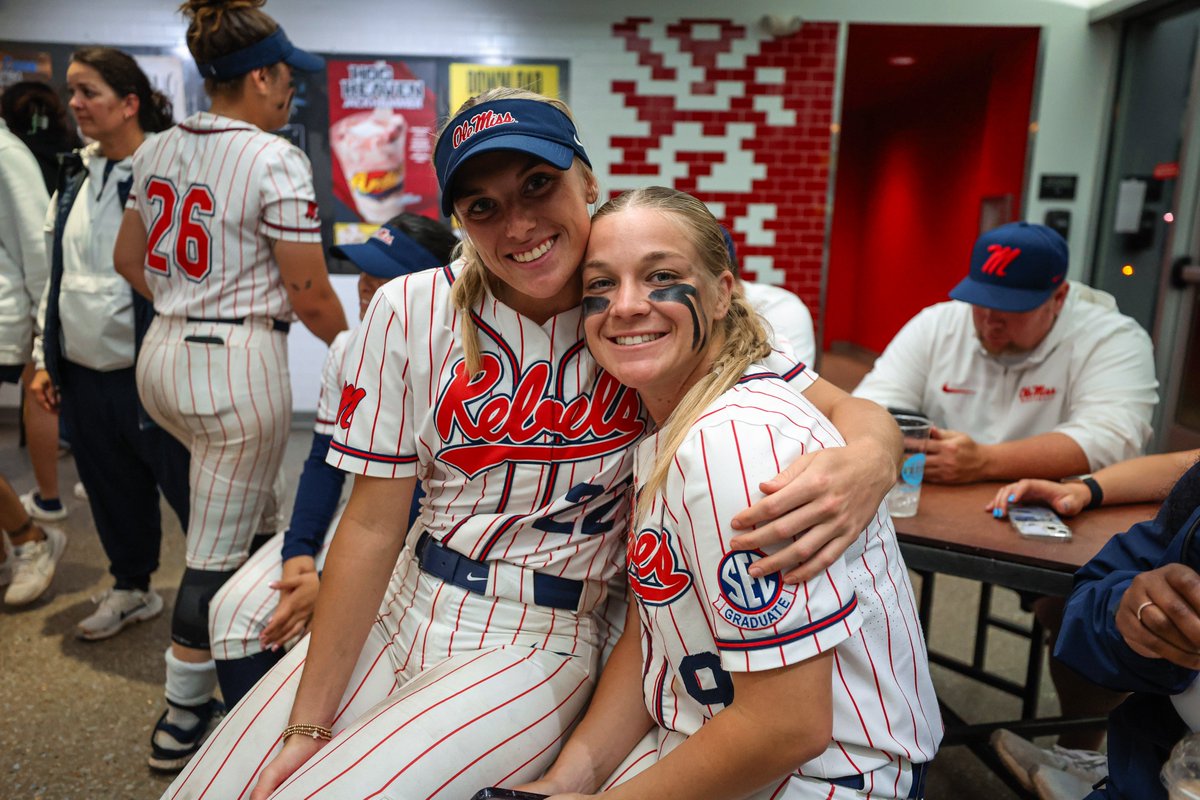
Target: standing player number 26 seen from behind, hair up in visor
223,232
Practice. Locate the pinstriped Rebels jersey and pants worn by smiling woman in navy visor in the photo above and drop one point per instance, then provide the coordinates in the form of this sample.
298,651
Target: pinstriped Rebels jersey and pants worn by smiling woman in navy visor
527,468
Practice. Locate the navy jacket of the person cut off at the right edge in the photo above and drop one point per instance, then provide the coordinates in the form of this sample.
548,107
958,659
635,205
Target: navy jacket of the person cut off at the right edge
1145,727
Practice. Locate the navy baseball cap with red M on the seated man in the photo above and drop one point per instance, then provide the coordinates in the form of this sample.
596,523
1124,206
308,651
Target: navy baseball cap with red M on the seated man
1015,268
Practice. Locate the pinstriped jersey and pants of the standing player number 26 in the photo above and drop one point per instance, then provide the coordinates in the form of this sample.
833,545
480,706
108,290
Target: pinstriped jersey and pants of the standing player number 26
214,194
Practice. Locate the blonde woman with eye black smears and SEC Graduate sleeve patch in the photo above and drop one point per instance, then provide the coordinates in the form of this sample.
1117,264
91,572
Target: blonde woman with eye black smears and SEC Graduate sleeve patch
749,689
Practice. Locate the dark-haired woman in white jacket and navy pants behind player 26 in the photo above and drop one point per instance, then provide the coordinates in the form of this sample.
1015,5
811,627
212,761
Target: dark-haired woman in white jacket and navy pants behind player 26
87,351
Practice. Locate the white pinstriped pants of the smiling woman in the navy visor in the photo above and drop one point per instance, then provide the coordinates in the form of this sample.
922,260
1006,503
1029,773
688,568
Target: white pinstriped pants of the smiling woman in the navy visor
440,706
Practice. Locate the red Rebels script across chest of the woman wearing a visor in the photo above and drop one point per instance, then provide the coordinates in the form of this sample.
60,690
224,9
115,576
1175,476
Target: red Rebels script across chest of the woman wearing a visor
514,429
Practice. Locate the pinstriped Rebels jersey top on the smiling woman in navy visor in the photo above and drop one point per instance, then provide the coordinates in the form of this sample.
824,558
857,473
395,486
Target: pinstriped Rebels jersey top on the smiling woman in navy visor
518,512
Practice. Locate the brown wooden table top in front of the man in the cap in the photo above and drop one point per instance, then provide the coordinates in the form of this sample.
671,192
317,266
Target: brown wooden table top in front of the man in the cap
953,519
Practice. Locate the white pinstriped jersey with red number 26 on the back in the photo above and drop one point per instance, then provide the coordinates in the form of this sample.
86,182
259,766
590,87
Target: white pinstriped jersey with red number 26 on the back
213,194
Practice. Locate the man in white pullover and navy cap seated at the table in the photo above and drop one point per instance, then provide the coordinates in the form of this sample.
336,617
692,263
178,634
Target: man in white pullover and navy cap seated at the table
1025,375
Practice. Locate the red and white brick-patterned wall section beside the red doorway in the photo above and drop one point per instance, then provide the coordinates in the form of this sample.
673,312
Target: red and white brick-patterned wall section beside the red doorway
742,123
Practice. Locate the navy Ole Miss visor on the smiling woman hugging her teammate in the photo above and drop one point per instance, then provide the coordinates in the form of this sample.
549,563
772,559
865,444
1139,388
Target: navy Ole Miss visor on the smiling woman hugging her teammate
530,127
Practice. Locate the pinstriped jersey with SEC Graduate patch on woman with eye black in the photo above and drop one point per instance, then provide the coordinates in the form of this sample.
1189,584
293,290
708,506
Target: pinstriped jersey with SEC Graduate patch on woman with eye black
704,616
